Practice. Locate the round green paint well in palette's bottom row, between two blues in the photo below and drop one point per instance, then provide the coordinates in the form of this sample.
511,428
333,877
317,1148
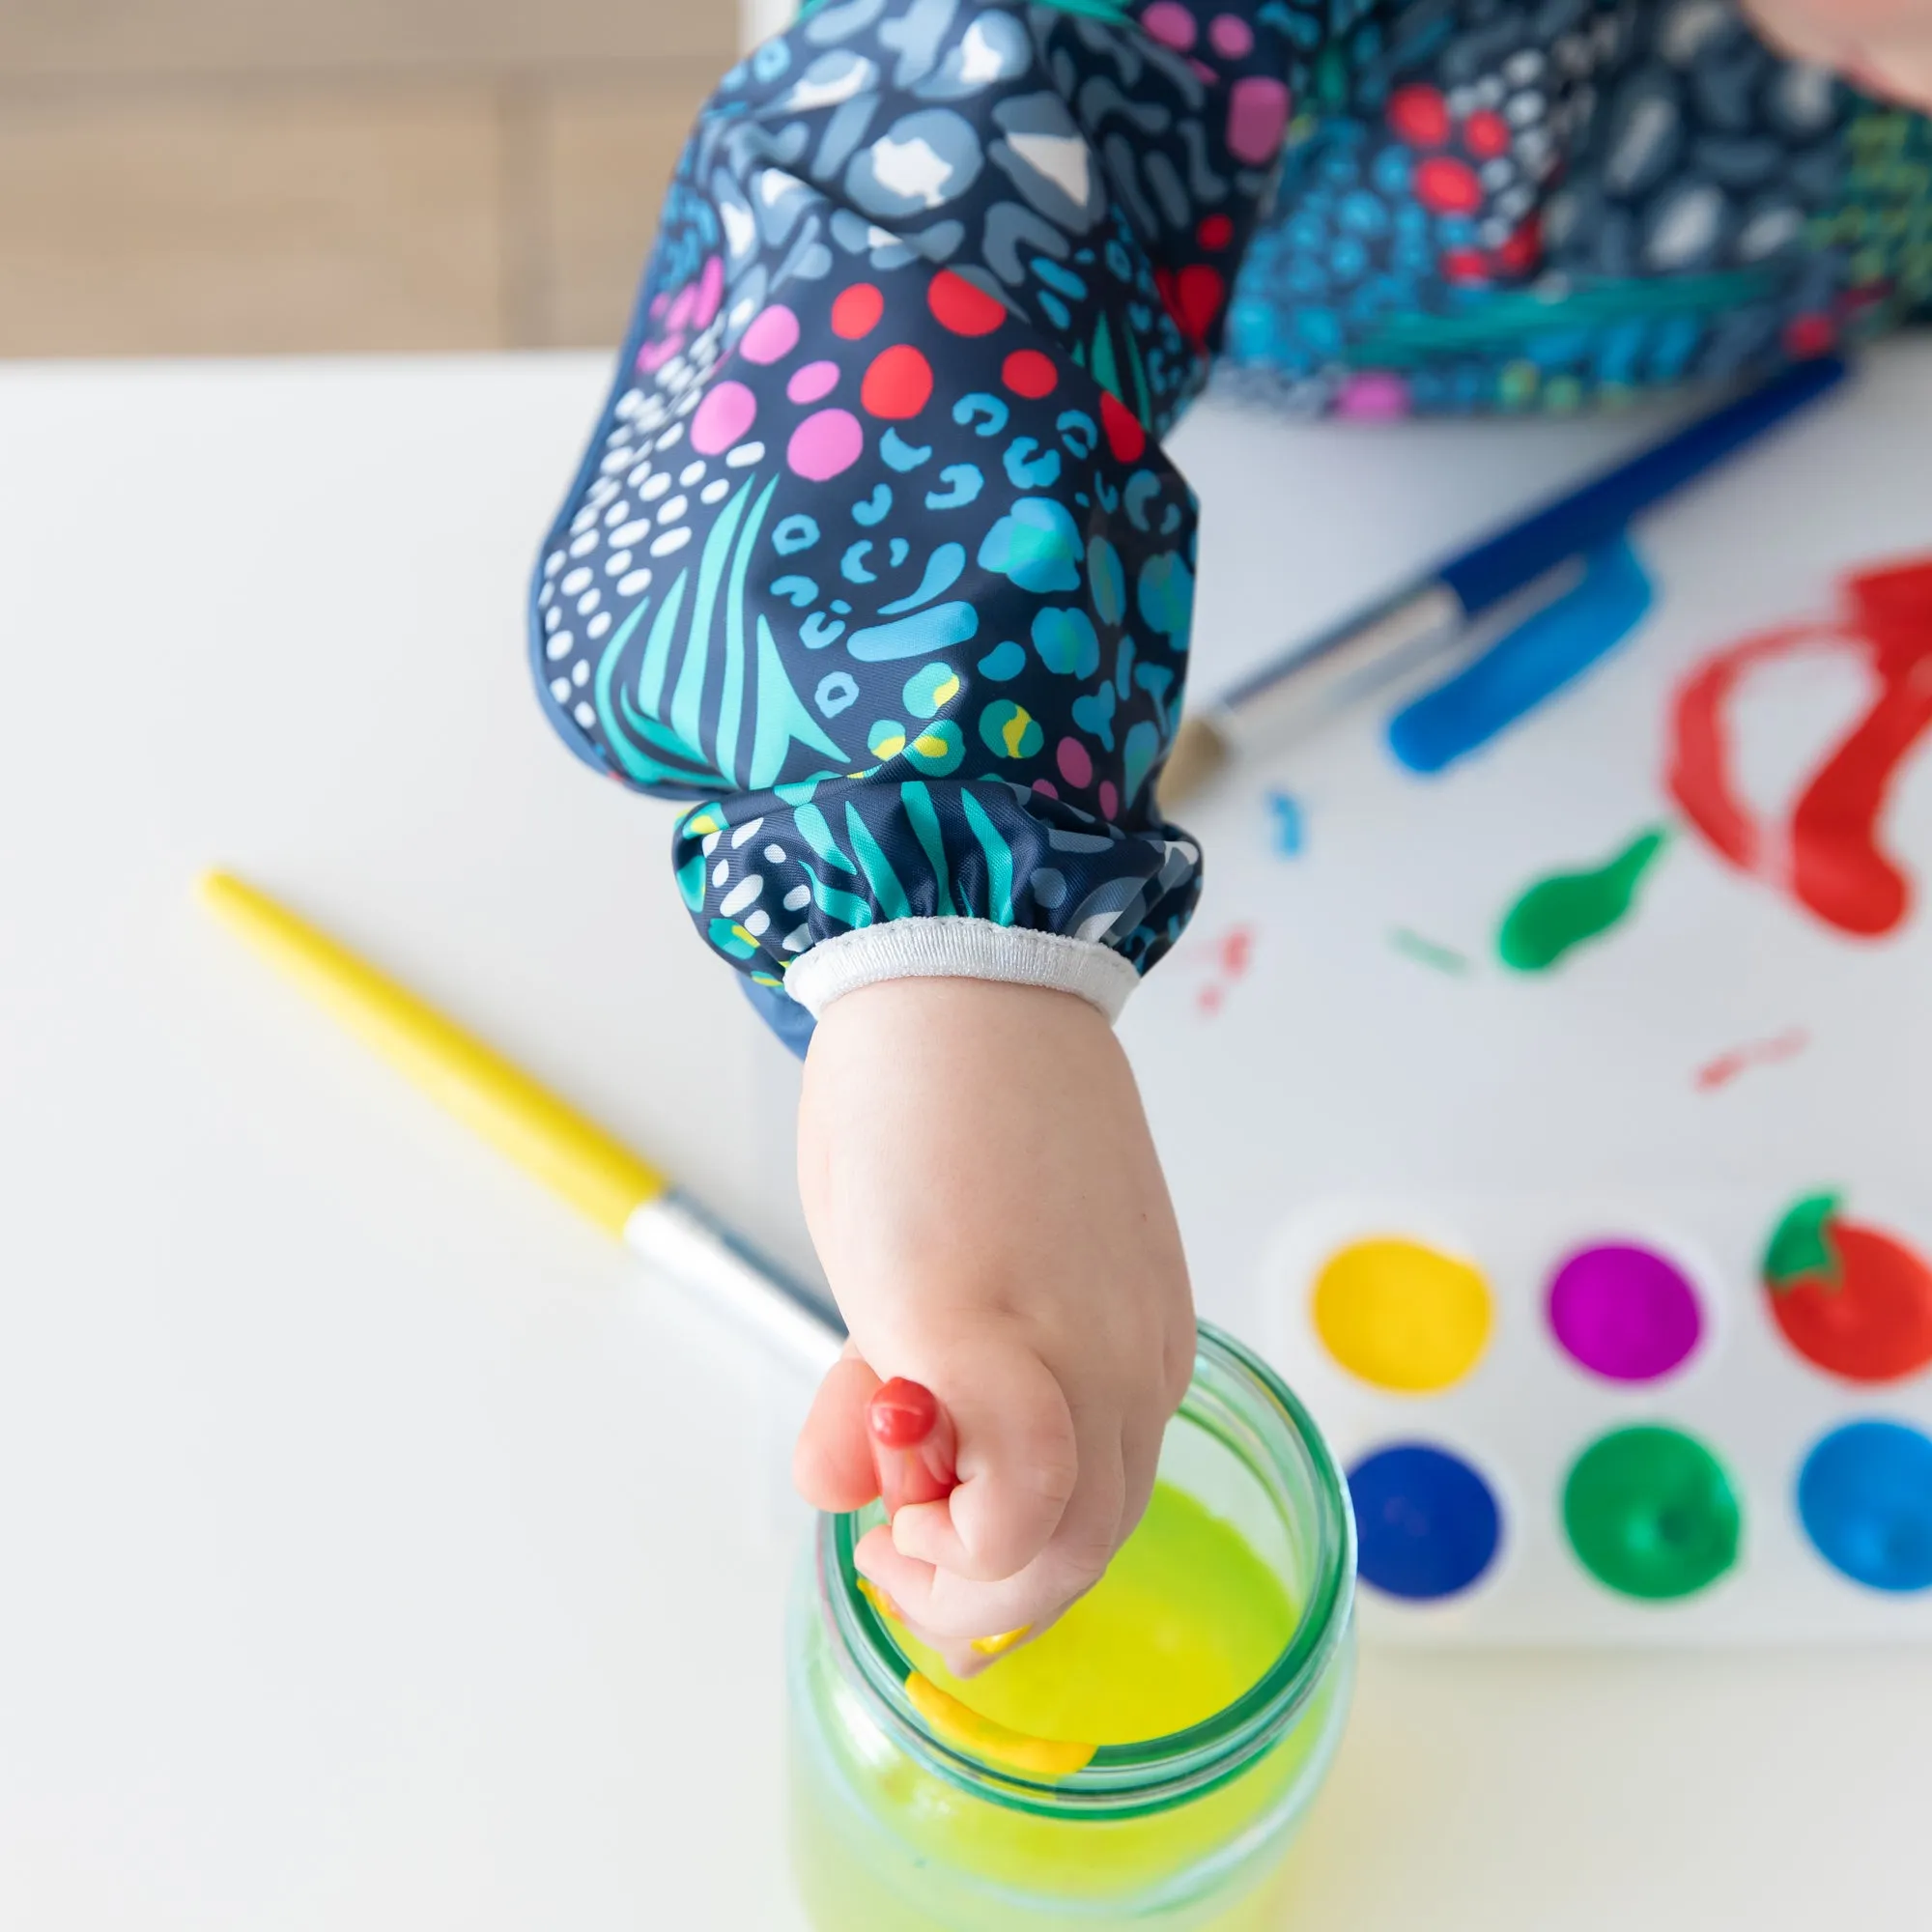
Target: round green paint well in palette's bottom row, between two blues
1651,1514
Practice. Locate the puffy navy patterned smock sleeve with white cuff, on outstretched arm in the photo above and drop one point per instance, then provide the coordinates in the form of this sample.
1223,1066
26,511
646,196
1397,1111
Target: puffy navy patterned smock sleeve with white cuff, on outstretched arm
876,555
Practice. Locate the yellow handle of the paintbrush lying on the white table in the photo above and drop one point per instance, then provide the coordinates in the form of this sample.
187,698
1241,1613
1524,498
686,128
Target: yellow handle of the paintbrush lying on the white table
482,1089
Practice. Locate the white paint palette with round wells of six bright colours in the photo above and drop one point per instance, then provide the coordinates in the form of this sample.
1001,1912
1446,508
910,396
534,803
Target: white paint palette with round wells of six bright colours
1622,1417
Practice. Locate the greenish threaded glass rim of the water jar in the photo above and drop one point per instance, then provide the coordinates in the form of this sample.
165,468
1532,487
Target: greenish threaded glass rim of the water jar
1125,1780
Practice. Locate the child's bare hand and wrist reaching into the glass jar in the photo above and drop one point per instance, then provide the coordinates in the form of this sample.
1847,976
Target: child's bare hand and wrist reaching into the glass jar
992,1216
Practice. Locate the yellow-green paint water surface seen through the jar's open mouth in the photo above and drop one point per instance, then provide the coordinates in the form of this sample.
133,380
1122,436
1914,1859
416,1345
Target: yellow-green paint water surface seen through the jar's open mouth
1183,1624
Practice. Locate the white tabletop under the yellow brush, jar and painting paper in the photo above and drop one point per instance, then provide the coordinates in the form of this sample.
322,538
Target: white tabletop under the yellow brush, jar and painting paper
366,1554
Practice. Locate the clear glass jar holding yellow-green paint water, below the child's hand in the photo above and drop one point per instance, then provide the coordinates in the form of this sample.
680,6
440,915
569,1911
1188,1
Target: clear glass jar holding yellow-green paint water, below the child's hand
909,1823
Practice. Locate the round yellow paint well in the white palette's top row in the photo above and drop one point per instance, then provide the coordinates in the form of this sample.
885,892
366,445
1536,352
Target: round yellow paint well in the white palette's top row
1404,1317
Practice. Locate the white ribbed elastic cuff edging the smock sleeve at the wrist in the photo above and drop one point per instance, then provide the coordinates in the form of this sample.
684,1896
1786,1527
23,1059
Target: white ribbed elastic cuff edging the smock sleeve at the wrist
961,950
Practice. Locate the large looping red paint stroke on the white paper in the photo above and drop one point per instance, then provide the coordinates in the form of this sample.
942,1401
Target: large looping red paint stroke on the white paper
1829,857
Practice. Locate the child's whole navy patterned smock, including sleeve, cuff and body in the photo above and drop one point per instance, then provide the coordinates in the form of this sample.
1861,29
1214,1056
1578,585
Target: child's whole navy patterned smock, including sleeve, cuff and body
876,557
